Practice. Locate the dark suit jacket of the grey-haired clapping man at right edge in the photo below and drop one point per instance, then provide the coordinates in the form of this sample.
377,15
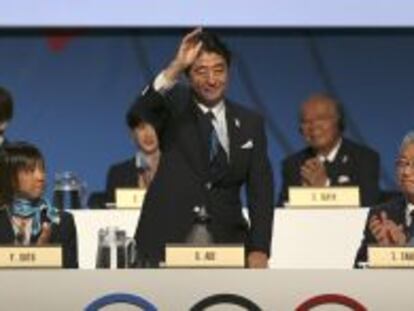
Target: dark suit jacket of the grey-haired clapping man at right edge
395,210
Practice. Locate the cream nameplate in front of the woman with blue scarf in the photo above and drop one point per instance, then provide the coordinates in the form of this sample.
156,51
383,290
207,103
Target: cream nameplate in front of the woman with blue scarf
30,256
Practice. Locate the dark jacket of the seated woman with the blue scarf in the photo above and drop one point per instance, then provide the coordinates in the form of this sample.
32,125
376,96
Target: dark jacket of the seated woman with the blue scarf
64,234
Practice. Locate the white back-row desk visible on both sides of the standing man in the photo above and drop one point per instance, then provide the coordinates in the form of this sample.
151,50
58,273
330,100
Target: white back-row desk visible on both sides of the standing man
306,239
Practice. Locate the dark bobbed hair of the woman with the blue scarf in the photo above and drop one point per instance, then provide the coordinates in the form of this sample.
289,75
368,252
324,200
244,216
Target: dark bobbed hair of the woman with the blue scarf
14,158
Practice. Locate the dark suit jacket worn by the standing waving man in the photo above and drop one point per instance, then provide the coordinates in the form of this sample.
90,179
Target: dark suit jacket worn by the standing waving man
182,180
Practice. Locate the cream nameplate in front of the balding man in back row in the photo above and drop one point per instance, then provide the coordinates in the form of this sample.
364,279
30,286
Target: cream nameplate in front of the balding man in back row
323,197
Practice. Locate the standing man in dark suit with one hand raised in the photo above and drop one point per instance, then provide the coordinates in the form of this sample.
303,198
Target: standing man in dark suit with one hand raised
210,149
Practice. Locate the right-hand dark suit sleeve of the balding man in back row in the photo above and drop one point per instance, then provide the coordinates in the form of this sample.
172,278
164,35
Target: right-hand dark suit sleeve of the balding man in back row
369,179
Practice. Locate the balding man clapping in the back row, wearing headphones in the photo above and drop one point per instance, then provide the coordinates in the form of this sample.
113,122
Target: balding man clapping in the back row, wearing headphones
330,159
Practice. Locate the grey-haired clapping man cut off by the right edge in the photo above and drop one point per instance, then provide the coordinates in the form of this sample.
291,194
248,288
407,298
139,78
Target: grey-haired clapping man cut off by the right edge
392,223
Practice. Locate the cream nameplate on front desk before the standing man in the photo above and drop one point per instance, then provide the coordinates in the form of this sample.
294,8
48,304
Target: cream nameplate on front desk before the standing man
215,256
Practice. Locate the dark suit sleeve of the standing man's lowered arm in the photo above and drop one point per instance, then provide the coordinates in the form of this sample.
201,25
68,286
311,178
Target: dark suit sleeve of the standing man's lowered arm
260,194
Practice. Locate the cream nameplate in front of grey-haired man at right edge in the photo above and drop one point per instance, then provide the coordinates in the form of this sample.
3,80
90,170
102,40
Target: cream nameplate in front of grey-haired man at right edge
390,257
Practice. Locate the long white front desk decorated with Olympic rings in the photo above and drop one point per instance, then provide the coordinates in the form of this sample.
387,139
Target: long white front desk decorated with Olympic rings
271,290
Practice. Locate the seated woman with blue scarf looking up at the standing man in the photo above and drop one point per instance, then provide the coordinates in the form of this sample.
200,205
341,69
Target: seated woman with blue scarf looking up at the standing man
26,217
